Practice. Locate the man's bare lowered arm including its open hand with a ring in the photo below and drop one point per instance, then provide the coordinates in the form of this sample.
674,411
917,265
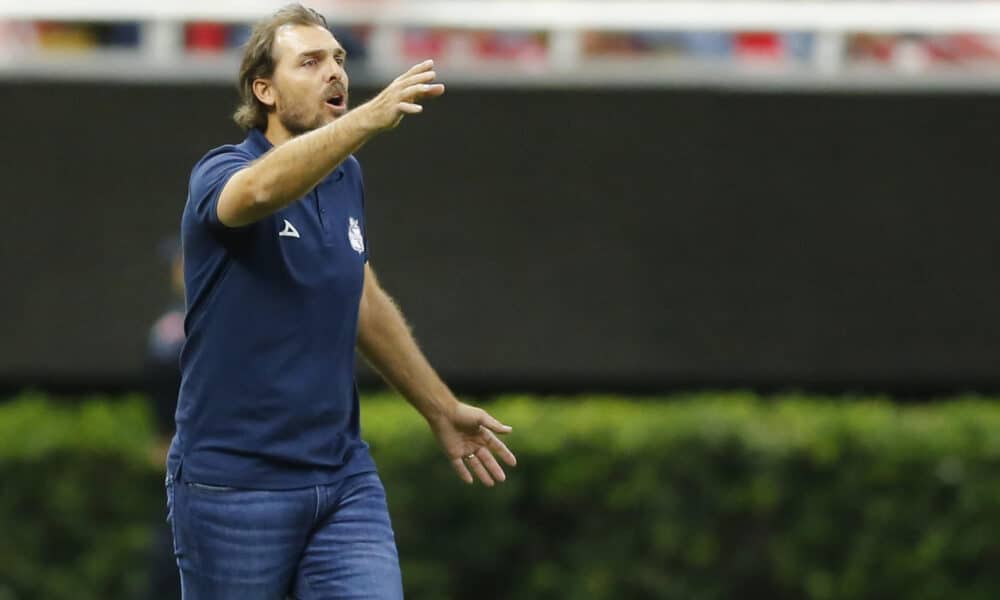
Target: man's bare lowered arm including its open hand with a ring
467,434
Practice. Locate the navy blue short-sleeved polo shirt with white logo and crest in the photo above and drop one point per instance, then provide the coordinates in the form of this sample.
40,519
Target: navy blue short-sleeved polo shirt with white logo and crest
268,398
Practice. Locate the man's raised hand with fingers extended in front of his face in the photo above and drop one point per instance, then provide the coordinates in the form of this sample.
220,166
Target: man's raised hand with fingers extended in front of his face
402,97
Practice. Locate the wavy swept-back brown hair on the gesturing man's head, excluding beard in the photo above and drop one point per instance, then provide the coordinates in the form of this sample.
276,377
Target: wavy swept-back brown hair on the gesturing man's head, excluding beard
258,60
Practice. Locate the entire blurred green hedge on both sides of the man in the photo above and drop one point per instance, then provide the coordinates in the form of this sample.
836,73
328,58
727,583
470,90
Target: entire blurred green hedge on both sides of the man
707,496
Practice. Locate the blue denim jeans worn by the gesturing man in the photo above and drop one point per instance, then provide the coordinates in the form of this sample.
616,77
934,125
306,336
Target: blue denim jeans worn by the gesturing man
316,543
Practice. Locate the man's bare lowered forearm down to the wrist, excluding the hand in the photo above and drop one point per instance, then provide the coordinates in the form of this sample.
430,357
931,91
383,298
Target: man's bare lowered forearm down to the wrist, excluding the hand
387,343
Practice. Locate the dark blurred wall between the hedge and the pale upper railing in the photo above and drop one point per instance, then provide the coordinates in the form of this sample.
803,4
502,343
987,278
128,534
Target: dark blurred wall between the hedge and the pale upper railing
557,238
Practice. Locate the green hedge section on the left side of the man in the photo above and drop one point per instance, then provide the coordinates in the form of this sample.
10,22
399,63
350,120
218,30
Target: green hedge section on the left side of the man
78,494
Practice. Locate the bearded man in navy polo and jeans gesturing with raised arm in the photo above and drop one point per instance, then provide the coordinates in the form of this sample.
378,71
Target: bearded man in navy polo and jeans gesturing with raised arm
270,490
